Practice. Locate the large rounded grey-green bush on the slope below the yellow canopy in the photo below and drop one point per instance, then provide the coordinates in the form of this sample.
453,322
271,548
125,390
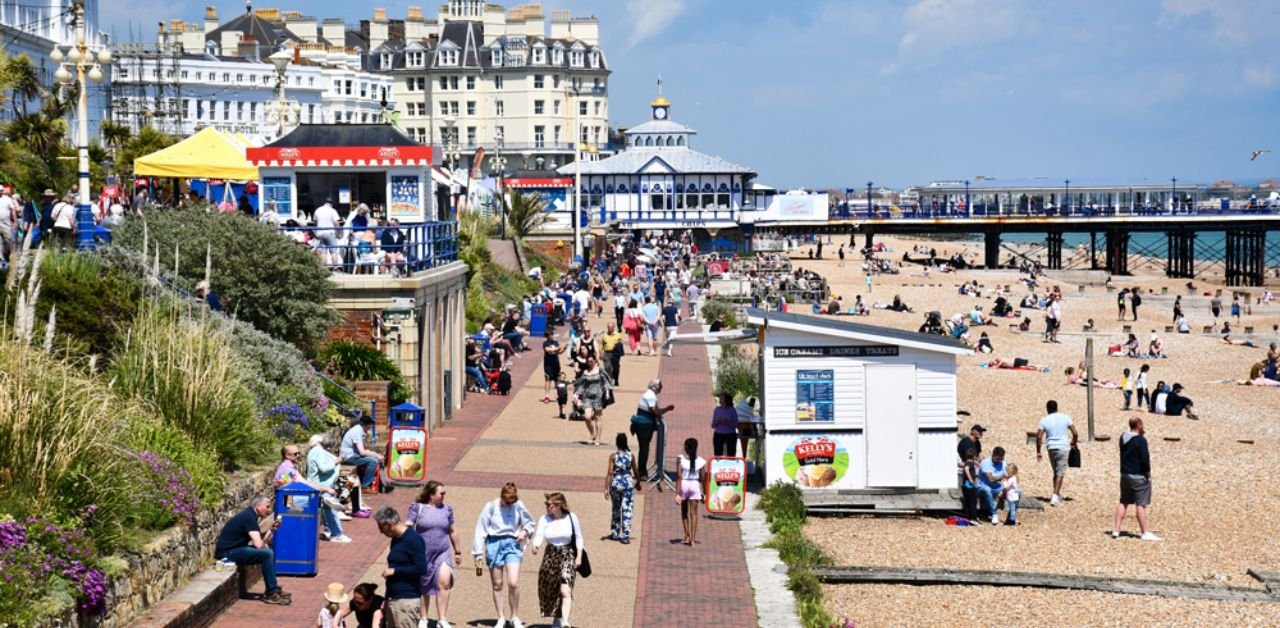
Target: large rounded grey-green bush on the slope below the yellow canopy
263,277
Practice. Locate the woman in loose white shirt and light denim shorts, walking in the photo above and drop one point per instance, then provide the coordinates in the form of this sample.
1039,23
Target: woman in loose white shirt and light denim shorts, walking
502,531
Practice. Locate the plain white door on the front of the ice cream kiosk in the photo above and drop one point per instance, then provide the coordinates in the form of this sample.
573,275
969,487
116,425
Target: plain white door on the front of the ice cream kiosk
893,430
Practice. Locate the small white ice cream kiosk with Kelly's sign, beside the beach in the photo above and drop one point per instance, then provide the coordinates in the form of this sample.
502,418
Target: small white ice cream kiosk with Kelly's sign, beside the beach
858,410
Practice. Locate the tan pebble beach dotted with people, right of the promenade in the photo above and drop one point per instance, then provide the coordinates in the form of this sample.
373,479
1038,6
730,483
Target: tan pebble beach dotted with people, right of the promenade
1215,480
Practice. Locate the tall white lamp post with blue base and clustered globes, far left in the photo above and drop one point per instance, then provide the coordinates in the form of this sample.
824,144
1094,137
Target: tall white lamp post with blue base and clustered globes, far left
86,62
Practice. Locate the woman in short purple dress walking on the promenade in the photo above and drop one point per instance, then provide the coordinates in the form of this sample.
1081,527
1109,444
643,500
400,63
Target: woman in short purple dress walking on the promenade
433,520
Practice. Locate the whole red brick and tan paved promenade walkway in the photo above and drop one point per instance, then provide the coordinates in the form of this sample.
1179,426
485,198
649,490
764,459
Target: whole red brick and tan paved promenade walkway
500,439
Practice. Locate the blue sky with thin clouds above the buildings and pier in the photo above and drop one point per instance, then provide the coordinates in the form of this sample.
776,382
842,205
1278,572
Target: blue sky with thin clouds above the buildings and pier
833,94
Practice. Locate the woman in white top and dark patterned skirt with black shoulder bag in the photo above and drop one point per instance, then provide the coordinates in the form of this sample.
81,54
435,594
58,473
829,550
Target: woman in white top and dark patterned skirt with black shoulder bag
563,534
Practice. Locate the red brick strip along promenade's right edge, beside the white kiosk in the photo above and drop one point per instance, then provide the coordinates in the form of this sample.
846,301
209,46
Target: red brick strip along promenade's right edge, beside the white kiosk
708,584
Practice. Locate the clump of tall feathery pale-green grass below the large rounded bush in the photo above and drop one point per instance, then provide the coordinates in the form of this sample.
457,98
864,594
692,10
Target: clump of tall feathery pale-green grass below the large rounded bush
189,374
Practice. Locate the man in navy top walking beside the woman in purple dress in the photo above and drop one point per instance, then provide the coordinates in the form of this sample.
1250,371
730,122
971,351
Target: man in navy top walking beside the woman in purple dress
406,565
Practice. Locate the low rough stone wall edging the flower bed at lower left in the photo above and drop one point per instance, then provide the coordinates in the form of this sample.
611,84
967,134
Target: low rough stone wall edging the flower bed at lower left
171,560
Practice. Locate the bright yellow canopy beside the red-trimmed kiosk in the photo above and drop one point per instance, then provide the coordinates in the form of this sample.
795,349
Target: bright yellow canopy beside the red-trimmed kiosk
208,155
